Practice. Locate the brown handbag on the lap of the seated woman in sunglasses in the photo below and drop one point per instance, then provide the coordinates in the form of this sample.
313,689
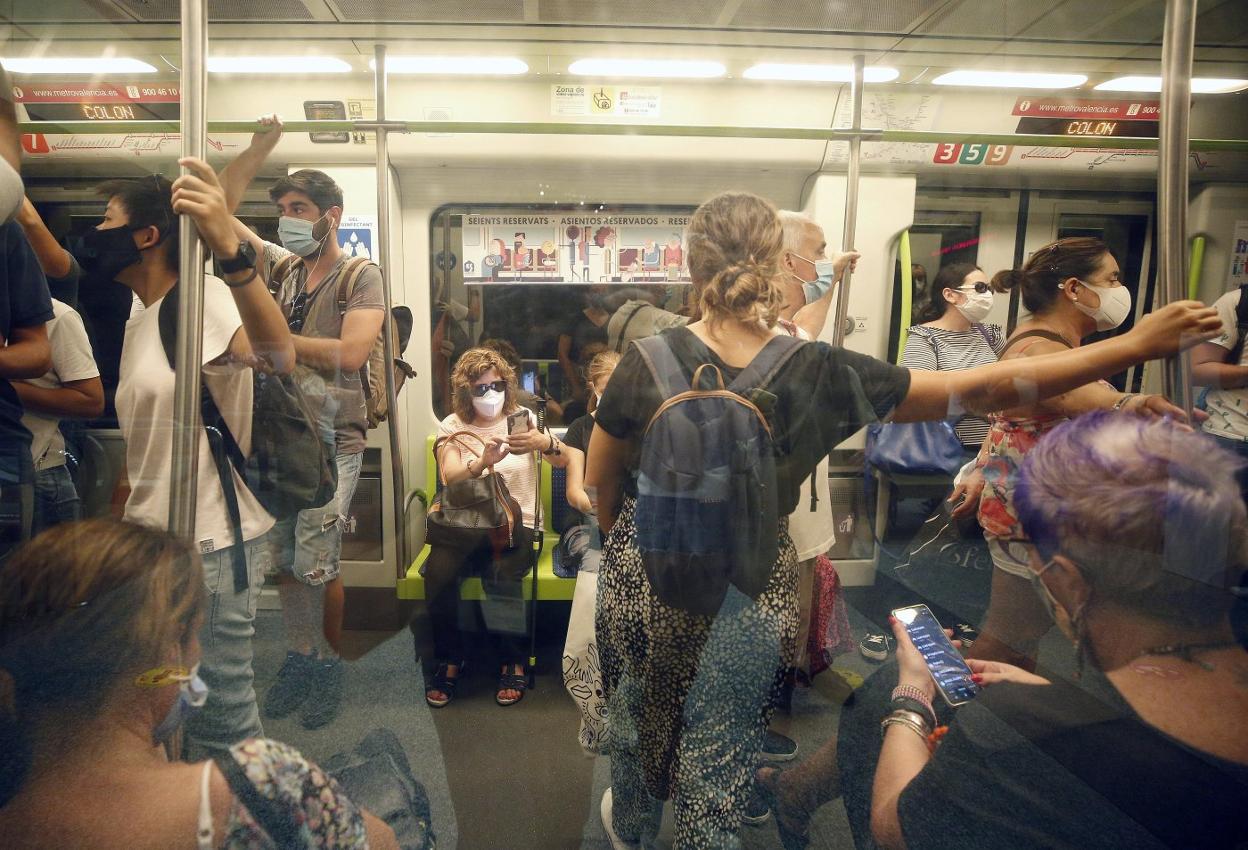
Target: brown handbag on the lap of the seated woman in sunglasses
469,514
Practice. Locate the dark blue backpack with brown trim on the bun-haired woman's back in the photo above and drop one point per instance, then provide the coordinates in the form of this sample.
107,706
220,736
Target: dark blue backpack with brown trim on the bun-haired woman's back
707,509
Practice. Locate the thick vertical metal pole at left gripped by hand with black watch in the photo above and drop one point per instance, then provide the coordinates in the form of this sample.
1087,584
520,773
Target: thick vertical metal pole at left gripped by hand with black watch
185,464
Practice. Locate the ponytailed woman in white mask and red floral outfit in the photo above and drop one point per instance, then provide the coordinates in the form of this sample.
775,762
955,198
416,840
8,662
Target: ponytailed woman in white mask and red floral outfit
1073,290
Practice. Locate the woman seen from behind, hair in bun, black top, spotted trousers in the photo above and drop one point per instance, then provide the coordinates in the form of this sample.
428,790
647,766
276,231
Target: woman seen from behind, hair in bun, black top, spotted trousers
691,695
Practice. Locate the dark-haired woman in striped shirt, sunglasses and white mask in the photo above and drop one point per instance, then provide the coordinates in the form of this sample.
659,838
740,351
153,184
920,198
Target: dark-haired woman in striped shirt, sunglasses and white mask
952,335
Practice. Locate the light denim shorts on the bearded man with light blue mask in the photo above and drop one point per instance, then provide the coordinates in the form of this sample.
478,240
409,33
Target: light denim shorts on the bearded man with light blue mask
309,546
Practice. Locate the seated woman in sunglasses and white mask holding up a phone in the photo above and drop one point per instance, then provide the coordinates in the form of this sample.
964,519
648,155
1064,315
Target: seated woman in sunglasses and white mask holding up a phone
475,440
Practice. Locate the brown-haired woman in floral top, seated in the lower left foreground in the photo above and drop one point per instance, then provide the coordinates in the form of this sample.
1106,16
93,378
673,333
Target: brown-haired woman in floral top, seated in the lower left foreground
99,652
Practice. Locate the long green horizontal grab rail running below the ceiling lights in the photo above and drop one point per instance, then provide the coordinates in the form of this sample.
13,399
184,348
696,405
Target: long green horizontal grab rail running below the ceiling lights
691,132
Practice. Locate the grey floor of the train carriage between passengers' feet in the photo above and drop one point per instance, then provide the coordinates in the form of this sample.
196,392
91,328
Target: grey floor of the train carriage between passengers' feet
516,778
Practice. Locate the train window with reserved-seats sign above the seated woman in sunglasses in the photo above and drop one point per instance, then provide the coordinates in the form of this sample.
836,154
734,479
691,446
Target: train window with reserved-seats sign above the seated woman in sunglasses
557,284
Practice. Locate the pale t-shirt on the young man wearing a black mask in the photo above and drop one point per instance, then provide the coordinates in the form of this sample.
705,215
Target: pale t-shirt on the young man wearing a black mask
145,411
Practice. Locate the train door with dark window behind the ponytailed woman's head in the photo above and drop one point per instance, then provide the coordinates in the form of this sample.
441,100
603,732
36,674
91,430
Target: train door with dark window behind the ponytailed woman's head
1123,223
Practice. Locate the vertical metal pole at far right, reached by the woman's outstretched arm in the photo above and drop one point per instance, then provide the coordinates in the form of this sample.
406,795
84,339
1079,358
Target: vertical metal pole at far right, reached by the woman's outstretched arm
1172,182
